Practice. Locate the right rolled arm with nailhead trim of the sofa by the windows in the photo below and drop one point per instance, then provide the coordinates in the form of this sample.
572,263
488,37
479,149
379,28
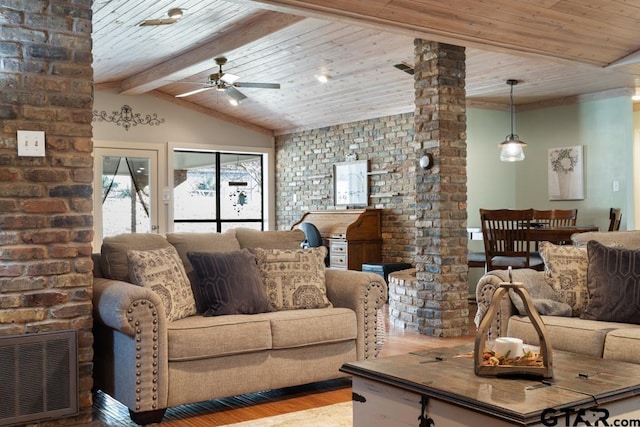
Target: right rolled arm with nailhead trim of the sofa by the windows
364,293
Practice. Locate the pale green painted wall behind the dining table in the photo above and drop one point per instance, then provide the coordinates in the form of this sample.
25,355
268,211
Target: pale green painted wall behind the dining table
604,127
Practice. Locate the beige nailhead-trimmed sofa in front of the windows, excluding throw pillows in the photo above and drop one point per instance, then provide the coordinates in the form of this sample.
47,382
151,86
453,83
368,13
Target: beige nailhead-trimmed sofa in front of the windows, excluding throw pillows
149,363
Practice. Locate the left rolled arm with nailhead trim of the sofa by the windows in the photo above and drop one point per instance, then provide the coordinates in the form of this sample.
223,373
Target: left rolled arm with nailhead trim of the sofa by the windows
131,344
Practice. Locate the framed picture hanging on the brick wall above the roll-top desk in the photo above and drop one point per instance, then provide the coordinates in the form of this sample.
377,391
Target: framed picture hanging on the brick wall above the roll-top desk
351,183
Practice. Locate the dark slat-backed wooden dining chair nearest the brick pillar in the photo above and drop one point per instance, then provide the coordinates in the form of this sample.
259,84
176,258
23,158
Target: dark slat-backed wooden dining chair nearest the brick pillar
506,239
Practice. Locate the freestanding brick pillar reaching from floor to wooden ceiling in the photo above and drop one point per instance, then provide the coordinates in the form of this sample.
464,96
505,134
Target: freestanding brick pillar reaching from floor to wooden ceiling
441,192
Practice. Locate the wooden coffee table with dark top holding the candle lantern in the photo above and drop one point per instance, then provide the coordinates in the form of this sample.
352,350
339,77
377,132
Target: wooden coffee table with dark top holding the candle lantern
436,388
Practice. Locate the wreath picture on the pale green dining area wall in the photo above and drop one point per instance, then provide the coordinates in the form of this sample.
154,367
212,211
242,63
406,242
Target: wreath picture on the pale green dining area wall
565,173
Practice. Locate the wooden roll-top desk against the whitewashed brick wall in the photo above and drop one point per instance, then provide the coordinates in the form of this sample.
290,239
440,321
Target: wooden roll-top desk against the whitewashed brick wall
353,236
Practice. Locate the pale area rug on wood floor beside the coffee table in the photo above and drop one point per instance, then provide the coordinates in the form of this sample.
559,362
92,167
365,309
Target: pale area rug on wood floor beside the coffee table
337,415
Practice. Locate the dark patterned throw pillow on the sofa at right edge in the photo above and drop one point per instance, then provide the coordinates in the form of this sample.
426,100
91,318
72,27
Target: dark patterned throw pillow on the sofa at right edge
613,281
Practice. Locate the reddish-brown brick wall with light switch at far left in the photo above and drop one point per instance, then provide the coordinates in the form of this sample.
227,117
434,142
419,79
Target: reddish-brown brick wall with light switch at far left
46,224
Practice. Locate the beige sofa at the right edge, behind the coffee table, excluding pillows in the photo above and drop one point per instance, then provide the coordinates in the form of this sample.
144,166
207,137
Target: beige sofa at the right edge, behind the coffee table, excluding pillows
606,339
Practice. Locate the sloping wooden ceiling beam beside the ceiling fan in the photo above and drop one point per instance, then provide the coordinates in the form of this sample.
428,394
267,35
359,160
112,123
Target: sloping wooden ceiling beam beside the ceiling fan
200,59
